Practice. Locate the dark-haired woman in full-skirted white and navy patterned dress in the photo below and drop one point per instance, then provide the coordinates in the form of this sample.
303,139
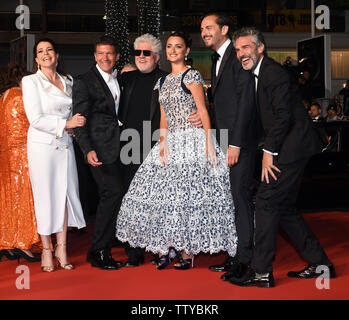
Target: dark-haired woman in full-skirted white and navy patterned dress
180,196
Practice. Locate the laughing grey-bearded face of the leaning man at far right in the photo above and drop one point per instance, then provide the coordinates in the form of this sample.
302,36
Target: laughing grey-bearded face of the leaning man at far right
247,52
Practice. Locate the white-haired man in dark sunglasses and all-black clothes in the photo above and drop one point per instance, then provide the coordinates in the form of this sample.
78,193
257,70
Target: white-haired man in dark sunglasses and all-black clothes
139,109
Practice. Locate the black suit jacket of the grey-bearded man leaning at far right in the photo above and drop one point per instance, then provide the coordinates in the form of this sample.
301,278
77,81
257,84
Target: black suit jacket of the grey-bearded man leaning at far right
287,126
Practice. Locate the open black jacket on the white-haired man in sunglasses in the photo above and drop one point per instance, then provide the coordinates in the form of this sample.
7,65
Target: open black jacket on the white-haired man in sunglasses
127,82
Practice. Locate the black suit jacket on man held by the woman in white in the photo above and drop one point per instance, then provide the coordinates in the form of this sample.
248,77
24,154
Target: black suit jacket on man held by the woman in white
93,99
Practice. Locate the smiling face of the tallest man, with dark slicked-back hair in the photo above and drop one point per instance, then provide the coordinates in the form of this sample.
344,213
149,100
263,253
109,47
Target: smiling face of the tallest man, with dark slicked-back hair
212,34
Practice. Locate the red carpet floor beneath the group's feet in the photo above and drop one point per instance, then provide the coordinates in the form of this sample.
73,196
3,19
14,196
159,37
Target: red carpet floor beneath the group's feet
146,283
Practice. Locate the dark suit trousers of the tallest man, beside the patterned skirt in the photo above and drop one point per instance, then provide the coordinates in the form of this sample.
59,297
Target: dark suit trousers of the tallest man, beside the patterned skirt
241,176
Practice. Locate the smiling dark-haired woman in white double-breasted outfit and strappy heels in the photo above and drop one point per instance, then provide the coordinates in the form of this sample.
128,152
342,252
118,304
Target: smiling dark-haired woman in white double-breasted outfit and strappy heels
47,97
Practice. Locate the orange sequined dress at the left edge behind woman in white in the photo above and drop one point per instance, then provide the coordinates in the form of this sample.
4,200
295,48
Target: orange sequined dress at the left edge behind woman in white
17,217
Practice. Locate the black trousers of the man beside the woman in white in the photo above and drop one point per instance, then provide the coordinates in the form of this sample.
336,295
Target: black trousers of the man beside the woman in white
110,190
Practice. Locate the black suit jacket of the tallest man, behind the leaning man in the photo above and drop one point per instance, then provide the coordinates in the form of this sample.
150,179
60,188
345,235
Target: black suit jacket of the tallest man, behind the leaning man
234,103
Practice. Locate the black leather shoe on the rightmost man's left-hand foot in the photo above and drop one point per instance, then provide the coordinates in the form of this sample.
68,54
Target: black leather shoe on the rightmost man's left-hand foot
251,279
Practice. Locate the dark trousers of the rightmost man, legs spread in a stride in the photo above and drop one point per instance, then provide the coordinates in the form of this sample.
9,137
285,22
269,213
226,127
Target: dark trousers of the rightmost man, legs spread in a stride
276,204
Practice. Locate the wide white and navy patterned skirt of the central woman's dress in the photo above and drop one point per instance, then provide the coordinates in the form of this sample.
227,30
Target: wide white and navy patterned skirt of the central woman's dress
186,204
